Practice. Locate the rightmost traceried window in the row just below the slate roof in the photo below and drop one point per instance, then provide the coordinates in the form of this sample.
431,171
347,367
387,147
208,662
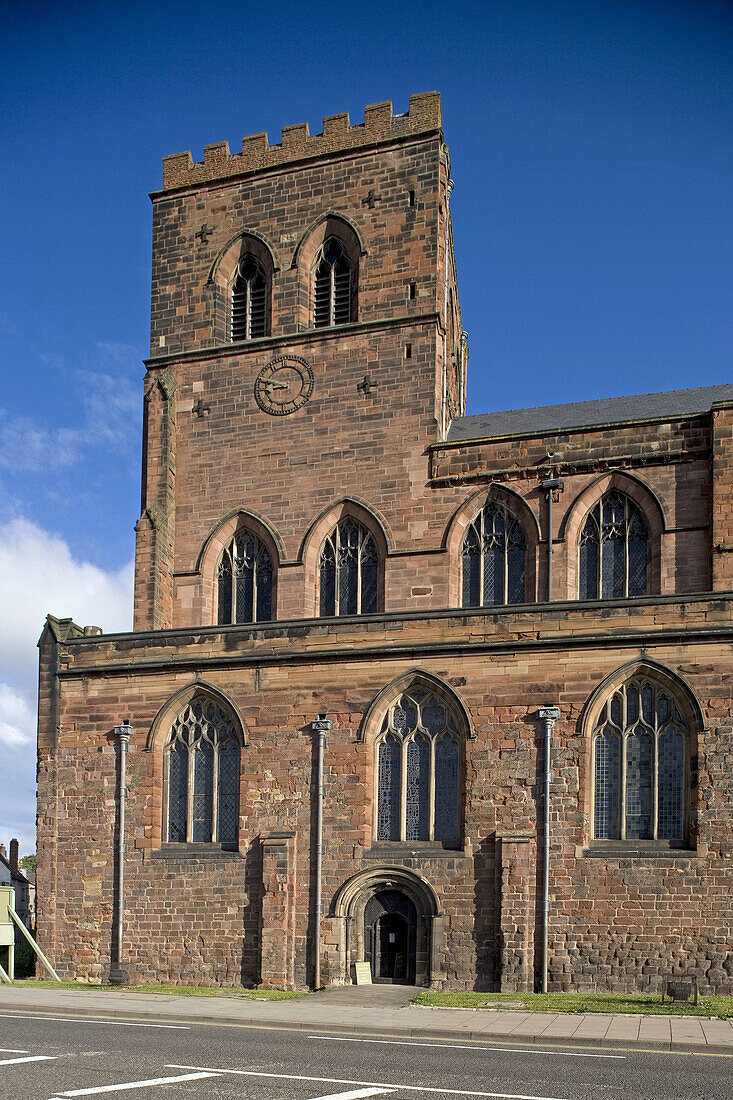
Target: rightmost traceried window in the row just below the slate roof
612,553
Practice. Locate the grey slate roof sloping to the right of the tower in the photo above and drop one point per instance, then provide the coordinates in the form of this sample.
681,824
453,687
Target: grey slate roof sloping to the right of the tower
551,419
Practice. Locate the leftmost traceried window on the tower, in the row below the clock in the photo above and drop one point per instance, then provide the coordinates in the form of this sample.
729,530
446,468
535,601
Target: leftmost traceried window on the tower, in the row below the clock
245,581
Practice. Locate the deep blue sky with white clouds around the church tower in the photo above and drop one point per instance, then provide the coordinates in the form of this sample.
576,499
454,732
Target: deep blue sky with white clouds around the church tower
592,152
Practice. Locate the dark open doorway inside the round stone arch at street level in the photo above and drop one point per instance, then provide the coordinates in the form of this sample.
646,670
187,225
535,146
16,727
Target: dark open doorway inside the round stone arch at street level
390,938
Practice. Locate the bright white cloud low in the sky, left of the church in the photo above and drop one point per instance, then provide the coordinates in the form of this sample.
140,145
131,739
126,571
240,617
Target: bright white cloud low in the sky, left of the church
39,575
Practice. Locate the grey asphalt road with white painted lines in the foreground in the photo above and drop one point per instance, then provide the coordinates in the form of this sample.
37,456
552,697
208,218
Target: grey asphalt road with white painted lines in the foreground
43,1058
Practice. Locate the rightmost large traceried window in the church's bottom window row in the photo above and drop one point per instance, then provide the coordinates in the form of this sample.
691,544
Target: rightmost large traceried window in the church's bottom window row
640,765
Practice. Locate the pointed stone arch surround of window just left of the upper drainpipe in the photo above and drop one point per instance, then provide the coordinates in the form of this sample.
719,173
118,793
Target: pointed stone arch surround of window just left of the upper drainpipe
467,513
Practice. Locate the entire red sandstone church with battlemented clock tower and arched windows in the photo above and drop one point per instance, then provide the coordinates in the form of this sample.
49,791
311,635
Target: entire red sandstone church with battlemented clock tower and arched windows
450,696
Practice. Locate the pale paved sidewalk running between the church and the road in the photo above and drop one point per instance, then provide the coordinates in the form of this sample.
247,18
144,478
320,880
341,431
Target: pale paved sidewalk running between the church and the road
315,1014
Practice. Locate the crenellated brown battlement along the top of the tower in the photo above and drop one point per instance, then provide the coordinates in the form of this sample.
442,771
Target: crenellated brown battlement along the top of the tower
380,125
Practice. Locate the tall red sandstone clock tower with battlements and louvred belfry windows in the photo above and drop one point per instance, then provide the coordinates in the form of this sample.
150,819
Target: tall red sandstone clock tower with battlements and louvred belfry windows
258,399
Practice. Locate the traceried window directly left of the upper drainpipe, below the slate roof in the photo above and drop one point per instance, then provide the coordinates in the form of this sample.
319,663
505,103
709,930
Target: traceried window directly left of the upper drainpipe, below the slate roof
495,556
